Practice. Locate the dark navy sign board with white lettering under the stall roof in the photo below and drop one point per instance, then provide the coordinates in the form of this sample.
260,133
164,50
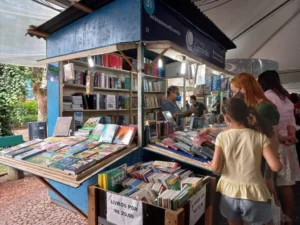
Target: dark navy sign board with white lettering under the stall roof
162,23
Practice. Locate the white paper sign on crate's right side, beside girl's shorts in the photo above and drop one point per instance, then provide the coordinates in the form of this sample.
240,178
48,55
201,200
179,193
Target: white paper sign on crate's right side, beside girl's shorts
197,205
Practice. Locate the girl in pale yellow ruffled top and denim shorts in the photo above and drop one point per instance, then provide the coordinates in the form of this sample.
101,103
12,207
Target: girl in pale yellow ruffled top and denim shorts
237,157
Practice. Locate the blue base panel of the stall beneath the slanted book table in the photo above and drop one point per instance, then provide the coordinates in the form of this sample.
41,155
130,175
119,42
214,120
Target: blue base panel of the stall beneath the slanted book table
79,196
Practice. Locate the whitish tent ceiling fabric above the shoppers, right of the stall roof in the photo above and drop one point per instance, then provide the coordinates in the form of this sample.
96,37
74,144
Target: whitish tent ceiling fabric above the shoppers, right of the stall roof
275,38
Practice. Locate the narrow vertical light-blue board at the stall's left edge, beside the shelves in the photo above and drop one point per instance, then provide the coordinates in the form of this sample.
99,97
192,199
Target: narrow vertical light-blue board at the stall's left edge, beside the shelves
52,103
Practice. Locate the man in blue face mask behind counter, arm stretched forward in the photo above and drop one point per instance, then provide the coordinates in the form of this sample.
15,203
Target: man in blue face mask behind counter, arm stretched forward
170,105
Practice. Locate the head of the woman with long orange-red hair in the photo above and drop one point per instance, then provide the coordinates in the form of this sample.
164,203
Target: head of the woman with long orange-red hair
247,86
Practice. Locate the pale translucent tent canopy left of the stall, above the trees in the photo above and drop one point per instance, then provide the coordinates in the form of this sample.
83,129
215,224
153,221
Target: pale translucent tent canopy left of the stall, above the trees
15,18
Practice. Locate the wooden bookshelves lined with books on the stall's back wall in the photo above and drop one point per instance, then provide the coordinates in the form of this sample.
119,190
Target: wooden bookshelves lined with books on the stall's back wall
130,112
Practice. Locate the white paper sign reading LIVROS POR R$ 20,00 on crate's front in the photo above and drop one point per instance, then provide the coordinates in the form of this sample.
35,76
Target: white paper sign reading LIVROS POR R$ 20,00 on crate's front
123,211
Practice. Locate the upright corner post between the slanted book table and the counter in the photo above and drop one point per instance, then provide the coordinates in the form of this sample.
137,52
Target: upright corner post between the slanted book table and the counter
140,77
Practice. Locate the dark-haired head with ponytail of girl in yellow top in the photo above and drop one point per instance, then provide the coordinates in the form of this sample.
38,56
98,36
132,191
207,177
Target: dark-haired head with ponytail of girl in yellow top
236,111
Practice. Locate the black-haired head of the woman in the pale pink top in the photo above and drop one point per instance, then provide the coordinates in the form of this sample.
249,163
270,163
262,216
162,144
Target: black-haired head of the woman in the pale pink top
270,80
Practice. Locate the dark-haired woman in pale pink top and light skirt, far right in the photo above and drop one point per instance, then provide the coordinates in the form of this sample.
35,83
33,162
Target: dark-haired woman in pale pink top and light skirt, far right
270,83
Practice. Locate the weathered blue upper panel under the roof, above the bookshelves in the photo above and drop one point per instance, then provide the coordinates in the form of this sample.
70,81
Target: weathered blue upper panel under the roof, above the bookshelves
115,23
